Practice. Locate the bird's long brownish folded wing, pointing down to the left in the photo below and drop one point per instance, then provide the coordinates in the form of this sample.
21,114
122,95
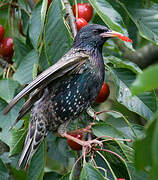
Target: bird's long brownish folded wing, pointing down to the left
66,64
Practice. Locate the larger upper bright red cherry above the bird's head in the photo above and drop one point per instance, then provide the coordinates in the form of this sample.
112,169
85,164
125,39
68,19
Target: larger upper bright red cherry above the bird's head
85,11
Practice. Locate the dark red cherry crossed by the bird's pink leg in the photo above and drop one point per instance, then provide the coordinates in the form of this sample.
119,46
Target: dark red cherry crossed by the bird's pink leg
73,145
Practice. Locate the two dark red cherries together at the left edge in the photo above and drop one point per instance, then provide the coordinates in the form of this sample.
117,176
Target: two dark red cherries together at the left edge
6,45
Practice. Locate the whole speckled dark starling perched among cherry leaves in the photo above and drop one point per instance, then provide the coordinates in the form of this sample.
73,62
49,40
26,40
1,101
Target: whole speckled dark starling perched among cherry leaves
64,90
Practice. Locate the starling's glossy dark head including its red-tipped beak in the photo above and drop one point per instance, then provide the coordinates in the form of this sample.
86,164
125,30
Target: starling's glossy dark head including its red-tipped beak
95,35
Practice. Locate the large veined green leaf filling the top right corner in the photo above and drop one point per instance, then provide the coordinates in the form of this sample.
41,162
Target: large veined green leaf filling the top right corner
145,18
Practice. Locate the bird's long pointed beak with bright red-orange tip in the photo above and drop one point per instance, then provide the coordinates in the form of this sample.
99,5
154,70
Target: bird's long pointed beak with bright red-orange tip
116,34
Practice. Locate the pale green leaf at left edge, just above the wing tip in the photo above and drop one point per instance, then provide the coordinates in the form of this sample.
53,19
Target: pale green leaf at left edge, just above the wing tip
7,89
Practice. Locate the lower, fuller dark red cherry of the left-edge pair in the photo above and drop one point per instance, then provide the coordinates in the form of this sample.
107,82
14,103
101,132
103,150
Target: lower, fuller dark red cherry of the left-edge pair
7,47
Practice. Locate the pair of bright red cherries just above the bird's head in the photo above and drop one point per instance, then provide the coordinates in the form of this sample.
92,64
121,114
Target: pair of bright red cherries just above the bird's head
83,15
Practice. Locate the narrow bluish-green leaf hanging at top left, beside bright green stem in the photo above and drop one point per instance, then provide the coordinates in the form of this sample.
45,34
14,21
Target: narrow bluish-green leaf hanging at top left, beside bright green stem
35,25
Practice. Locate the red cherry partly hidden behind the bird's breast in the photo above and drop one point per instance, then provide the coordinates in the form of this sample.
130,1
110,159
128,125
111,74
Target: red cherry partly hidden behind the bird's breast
103,94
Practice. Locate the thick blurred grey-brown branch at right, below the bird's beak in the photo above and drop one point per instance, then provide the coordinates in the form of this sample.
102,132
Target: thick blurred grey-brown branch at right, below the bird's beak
142,57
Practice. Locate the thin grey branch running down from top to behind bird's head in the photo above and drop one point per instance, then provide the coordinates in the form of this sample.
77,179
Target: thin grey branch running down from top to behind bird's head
71,17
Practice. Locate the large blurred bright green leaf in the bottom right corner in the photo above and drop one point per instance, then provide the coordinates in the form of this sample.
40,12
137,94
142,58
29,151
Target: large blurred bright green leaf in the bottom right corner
146,149
